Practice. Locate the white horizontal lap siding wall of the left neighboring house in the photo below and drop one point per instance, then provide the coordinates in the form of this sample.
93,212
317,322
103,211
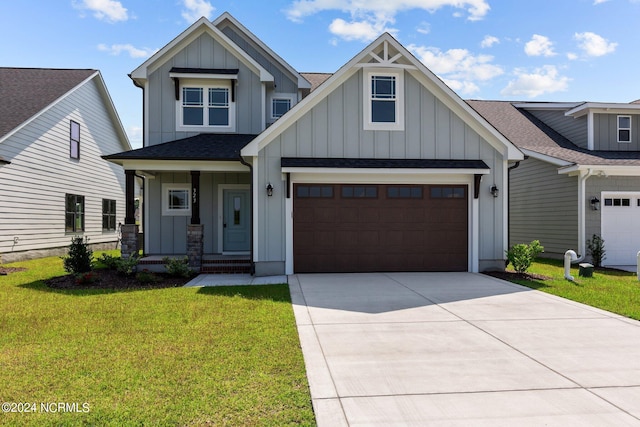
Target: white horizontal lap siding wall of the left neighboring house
33,186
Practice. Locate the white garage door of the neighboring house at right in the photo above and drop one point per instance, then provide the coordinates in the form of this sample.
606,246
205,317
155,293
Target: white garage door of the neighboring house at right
620,227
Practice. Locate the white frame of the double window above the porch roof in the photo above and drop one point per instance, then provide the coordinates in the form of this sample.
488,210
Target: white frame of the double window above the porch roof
205,85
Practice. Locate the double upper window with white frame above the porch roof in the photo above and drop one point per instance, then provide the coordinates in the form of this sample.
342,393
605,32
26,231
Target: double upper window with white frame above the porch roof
206,106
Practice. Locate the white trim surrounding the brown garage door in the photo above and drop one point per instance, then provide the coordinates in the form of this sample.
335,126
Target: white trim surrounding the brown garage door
387,178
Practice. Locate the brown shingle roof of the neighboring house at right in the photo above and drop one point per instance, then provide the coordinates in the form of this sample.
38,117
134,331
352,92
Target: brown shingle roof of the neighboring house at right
529,133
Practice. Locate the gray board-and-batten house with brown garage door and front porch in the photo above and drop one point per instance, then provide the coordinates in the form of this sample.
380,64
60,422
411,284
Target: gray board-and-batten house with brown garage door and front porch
381,167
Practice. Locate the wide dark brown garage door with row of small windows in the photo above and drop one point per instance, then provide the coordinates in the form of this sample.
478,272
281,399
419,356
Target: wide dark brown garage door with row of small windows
361,228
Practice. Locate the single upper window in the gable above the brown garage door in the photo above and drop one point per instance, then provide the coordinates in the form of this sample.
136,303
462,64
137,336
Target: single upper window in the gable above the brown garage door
383,103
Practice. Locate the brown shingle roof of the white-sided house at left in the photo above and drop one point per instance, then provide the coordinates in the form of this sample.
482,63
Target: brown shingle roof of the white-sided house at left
26,91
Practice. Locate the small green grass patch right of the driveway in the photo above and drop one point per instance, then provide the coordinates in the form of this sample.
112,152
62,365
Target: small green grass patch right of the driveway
612,290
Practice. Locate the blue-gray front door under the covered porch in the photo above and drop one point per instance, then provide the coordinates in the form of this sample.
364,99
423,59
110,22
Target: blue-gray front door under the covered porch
236,222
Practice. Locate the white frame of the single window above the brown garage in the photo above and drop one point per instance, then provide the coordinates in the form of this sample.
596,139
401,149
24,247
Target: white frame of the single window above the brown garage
369,124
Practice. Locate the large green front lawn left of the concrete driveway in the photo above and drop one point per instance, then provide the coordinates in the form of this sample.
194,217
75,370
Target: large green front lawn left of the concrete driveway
173,356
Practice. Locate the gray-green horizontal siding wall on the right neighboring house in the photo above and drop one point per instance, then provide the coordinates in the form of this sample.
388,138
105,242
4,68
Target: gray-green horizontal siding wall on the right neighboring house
544,206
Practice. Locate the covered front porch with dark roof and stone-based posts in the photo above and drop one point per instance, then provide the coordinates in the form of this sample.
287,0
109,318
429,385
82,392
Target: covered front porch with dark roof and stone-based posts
197,203
